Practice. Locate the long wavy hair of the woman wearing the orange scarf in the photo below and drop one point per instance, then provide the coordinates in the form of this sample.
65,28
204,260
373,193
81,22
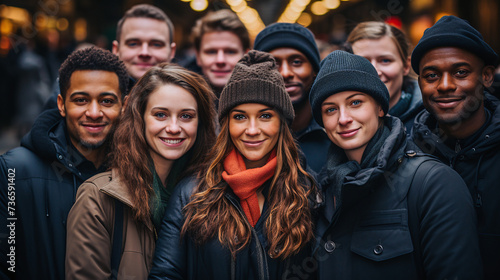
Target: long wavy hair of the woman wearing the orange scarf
289,223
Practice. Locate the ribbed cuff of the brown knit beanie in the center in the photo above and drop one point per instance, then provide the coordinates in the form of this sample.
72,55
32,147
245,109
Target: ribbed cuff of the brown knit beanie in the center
255,91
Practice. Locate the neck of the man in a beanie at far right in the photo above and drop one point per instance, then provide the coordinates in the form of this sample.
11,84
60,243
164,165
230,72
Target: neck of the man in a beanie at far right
465,128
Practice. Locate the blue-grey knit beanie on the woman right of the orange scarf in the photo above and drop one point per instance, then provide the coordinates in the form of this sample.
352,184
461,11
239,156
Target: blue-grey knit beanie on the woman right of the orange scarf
342,71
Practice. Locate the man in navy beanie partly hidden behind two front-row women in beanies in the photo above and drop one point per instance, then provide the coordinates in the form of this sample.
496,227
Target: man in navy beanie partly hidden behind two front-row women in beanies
297,55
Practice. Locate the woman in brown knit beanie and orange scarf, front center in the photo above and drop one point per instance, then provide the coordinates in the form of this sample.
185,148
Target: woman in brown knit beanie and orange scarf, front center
247,216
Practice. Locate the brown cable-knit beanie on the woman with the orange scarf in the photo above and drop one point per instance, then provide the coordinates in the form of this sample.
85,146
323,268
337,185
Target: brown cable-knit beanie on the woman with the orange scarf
256,79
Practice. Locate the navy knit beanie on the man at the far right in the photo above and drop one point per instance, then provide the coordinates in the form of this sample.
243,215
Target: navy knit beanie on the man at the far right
451,31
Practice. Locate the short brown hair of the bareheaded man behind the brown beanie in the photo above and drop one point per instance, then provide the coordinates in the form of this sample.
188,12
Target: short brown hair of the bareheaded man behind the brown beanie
221,20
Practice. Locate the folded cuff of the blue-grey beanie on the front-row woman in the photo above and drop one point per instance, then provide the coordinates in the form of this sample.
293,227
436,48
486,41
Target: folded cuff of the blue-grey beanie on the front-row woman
347,80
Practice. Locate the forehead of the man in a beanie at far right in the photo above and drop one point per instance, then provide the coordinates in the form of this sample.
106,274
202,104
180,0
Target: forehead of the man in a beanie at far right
448,56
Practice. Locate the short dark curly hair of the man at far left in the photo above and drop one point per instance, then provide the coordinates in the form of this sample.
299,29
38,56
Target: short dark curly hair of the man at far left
92,58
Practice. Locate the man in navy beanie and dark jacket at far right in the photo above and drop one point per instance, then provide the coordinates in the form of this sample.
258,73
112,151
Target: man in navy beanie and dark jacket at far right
461,125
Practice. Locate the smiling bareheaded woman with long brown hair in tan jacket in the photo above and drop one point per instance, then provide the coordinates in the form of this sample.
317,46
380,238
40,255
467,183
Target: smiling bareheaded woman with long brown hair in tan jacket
163,136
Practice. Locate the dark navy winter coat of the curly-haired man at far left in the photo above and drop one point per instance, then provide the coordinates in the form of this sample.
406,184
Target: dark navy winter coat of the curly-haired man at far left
42,179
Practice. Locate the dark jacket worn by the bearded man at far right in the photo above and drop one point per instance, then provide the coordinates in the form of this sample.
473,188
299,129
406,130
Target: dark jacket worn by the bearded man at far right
478,163
